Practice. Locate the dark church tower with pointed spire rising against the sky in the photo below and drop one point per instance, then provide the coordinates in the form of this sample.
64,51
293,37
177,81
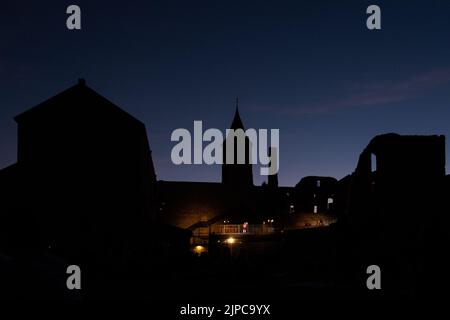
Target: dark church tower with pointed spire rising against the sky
237,176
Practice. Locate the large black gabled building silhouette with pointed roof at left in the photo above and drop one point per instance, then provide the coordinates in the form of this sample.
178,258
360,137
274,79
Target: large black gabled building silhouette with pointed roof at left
83,188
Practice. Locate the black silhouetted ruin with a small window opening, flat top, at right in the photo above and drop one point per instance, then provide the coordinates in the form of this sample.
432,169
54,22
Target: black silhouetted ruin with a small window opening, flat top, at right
395,215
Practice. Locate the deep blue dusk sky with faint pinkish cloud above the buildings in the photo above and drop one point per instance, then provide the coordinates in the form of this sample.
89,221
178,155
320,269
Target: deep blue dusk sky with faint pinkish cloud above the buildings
310,68
